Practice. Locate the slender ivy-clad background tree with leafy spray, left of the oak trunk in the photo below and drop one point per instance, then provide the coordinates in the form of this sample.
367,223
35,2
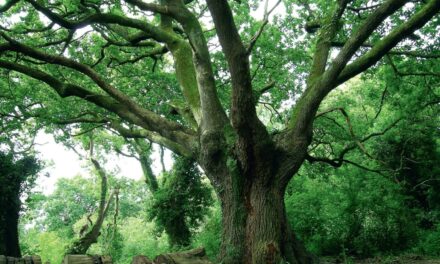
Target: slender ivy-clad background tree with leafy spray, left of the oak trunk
180,200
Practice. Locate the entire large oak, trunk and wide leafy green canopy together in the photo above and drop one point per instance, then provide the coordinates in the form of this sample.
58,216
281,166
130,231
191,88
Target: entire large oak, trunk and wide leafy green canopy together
242,95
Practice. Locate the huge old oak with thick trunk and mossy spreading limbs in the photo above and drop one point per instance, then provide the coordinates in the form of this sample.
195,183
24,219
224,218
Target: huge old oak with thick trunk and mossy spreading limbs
95,51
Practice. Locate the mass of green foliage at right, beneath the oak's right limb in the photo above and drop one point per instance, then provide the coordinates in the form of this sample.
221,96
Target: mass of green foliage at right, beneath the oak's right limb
385,200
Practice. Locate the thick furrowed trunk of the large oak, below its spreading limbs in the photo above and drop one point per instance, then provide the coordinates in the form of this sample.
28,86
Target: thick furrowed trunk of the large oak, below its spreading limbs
255,226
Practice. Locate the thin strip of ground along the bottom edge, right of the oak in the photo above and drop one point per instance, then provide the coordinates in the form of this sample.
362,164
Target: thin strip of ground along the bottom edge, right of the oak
407,259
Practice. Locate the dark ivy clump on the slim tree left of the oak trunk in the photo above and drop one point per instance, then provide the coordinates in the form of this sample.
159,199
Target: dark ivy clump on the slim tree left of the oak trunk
182,202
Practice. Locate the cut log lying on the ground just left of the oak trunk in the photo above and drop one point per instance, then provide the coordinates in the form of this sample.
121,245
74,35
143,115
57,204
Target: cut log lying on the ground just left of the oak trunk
194,256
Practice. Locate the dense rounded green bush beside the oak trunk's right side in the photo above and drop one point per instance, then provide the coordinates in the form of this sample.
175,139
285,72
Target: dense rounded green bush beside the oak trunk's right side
350,211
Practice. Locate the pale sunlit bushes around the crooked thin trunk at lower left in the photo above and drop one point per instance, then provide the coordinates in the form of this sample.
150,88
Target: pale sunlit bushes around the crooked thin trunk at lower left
65,212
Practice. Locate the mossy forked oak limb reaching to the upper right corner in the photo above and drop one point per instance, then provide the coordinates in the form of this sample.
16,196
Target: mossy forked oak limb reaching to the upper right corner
305,110
